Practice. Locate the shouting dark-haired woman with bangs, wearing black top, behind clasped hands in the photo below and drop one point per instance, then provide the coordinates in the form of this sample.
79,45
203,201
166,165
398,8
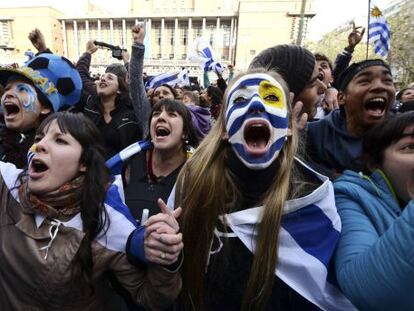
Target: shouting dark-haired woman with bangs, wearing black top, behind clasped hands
151,175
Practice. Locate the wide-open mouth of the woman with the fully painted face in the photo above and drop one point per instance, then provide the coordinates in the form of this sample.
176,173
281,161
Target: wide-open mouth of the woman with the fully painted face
257,136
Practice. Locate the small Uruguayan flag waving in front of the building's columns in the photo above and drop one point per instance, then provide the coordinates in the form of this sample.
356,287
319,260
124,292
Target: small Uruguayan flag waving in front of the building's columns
203,55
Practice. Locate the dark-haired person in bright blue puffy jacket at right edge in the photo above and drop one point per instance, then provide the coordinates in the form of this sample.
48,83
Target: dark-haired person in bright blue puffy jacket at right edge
374,261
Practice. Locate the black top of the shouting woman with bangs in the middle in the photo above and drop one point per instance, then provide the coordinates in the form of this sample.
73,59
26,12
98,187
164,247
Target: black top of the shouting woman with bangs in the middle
141,193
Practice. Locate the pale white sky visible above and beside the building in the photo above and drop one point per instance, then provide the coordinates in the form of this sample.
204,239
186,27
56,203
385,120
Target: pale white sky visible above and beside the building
329,13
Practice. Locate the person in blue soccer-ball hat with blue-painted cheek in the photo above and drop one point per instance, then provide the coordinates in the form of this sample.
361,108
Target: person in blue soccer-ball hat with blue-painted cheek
46,84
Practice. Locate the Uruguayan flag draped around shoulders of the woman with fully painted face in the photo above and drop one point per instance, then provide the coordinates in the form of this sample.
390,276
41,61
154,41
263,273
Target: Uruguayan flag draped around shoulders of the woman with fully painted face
308,236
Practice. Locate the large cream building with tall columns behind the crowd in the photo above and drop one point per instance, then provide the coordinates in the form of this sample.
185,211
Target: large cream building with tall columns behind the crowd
236,29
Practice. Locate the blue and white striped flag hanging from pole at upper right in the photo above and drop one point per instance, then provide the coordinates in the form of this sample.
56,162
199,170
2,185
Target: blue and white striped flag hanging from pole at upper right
379,33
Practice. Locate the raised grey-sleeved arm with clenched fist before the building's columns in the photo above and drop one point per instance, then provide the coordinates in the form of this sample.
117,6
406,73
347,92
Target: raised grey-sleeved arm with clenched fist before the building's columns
140,102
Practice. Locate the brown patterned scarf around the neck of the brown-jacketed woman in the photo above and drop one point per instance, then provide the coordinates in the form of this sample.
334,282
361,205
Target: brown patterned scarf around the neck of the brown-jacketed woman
62,202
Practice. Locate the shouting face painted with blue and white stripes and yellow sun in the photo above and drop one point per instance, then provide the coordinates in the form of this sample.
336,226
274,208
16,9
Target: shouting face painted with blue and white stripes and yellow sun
257,119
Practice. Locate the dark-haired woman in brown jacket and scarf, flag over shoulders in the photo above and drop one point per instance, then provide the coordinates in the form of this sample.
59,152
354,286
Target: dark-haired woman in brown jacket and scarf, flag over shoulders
62,226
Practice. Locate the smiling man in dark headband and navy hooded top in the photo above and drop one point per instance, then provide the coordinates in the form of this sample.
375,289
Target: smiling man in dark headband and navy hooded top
366,93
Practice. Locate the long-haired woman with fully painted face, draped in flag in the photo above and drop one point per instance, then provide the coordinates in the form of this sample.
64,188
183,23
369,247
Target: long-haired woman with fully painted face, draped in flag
249,209
